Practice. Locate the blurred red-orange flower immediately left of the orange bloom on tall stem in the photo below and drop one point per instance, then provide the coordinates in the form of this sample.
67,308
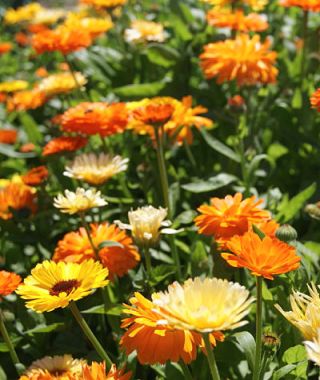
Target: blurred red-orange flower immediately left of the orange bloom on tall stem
96,118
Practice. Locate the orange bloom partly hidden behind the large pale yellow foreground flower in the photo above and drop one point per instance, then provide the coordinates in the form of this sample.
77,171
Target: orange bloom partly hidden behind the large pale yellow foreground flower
154,341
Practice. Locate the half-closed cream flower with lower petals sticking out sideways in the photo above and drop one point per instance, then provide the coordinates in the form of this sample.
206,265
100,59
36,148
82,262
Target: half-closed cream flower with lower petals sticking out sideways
146,225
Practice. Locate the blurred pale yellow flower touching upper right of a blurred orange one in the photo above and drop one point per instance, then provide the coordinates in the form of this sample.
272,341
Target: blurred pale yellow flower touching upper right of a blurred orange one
61,83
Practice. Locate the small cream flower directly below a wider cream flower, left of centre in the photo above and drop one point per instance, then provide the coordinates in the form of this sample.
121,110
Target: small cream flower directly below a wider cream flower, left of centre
79,201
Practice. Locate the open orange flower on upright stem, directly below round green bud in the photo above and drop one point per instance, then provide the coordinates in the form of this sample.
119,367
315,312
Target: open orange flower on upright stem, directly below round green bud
266,257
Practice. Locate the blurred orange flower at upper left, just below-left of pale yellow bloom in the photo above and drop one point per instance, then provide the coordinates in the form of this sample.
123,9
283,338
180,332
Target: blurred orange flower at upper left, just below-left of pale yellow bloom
26,100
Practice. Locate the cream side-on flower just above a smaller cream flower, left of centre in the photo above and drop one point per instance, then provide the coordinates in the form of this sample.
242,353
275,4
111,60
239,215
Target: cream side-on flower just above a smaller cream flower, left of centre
96,169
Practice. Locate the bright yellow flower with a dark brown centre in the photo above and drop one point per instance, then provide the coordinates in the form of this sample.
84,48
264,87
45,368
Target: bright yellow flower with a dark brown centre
52,285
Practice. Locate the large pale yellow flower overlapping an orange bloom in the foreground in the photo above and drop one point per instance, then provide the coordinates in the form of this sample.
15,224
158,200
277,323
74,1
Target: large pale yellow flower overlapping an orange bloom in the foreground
204,305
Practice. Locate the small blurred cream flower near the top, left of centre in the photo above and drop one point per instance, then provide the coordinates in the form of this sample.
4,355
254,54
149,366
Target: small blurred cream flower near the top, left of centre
144,31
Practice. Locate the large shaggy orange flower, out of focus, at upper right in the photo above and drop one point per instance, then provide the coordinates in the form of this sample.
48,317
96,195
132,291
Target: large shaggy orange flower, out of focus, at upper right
244,59
